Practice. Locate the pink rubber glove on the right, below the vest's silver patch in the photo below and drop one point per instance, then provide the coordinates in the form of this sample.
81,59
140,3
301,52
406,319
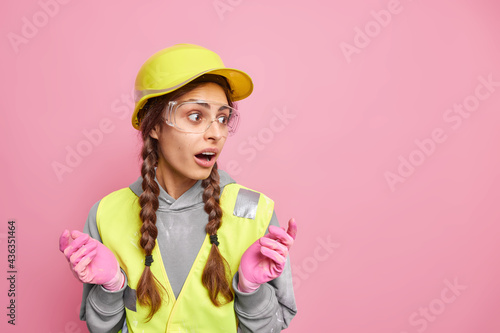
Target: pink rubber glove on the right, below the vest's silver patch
265,259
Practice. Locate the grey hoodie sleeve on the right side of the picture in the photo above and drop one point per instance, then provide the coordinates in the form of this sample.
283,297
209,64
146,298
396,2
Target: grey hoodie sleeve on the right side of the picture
271,307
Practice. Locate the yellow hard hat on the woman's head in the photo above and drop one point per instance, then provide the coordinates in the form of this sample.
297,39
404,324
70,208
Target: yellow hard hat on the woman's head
176,66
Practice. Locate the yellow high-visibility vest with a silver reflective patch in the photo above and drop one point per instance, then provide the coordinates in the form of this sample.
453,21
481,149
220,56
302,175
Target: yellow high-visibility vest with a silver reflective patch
246,216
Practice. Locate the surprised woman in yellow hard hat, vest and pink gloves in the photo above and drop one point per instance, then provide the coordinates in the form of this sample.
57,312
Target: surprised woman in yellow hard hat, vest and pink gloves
148,259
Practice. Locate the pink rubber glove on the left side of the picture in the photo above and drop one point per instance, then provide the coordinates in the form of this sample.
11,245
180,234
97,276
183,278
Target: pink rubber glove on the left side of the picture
91,261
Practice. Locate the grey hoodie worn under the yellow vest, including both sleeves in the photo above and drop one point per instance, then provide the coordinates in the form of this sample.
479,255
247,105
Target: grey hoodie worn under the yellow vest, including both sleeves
181,231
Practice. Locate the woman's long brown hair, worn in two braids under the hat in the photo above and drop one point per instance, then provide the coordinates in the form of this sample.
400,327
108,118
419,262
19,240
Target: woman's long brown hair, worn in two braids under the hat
216,274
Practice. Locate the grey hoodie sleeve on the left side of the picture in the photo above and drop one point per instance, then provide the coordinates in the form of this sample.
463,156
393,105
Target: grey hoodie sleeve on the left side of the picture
103,310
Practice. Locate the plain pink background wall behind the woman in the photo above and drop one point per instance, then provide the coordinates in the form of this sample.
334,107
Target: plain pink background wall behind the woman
371,255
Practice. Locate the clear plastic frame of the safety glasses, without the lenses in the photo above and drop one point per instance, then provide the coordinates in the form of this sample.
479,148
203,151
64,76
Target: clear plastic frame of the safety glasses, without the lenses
174,105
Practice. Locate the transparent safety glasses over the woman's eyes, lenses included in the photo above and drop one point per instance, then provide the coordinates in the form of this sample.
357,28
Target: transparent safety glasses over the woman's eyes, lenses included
196,116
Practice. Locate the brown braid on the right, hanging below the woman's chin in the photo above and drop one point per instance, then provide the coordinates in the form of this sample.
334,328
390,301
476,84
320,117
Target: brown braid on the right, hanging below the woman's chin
217,273
